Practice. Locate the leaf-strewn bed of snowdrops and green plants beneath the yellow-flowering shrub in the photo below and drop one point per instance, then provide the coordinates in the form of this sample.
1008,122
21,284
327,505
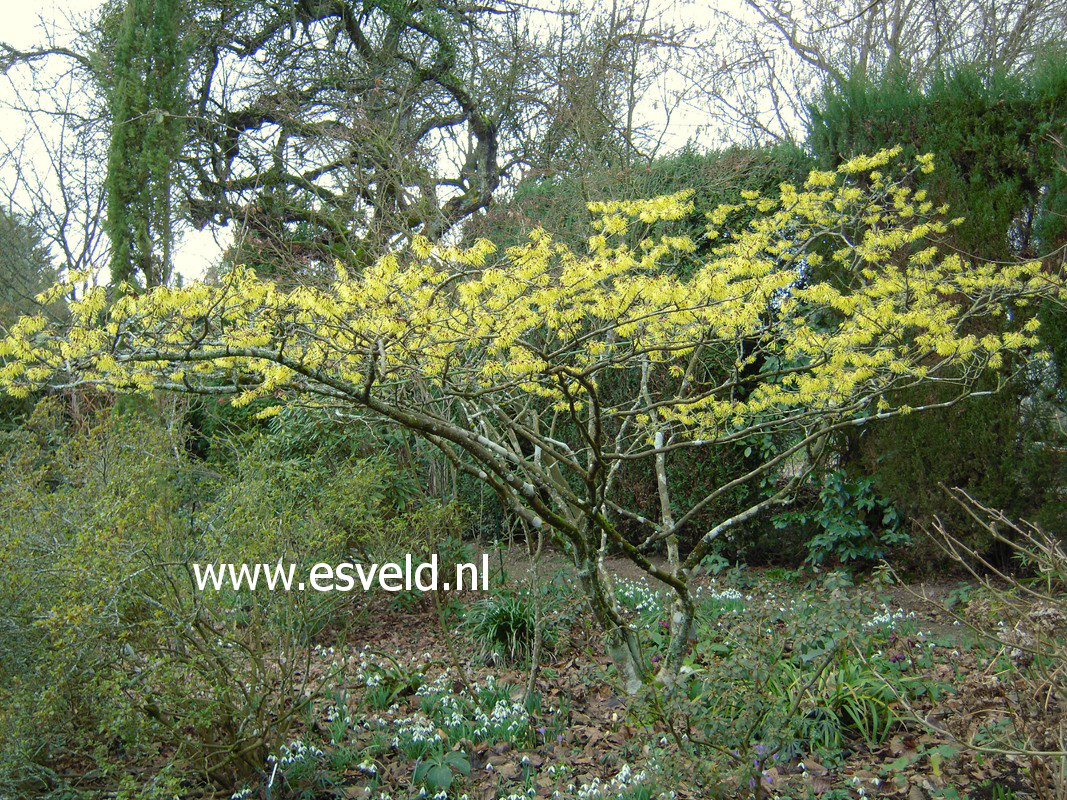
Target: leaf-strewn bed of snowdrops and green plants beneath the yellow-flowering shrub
797,690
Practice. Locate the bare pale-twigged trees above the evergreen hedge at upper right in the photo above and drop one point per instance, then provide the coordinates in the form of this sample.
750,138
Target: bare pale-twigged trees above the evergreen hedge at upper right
767,59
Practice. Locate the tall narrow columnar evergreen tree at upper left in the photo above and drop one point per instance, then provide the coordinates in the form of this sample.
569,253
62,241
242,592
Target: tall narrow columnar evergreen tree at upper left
148,103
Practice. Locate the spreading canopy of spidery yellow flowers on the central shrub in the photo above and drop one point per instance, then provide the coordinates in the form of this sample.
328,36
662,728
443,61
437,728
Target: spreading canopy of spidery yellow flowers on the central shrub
549,324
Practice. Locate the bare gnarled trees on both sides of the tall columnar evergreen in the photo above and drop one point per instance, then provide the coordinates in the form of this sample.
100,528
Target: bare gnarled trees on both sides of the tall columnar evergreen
329,130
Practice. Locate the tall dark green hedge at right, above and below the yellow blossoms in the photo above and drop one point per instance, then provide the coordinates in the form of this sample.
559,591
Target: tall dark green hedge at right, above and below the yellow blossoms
998,137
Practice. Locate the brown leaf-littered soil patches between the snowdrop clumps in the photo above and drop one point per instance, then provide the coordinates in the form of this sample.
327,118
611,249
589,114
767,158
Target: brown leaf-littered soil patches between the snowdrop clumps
600,737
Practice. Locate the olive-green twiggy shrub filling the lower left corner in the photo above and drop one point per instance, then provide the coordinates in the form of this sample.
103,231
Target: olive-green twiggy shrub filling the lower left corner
110,632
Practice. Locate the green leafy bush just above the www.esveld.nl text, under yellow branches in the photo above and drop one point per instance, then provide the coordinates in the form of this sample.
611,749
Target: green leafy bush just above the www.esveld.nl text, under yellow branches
310,486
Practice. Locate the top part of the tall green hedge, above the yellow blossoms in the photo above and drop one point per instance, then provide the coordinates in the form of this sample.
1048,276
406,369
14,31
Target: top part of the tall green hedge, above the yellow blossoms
997,164
